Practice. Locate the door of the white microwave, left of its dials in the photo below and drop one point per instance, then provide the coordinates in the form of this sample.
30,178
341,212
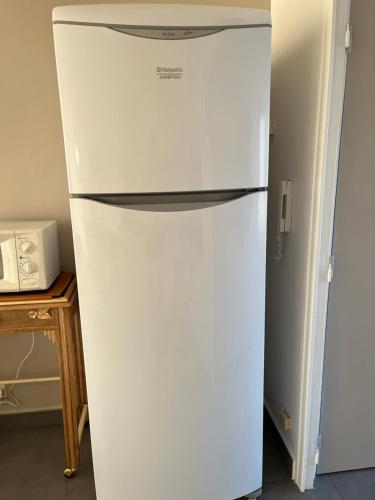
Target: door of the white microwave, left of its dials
9,281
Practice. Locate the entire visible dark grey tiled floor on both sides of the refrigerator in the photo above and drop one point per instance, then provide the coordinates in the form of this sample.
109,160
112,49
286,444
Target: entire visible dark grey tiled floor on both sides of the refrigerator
32,462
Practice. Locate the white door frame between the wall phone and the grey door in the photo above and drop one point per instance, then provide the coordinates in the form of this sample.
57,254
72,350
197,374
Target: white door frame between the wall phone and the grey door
327,149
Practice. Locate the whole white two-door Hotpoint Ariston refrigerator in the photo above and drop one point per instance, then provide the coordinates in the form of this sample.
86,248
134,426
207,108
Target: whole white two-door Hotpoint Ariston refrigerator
165,112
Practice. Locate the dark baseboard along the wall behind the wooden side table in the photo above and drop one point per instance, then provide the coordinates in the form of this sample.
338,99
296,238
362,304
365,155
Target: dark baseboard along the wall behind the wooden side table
38,418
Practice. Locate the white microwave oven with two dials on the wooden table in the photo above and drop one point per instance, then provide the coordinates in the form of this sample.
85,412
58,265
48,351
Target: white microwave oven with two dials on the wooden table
29,255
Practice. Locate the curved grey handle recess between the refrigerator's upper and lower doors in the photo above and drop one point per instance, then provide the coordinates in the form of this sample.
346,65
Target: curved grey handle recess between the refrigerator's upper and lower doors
169,202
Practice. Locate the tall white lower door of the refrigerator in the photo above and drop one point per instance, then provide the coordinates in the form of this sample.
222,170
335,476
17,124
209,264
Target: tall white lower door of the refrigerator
172,306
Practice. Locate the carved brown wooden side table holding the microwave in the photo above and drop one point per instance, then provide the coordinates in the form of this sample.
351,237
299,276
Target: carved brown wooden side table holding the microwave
55,312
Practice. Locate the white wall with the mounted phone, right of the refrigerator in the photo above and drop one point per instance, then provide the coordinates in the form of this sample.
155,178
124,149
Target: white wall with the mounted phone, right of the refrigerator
299,80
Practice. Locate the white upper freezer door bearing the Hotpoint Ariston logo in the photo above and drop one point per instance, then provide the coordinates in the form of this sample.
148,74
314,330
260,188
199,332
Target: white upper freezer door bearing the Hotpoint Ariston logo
149,115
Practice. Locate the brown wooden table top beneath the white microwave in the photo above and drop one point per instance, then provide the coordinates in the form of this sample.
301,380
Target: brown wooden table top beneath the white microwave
60,291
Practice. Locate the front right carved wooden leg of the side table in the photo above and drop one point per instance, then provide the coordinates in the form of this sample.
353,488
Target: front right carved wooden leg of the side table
67,366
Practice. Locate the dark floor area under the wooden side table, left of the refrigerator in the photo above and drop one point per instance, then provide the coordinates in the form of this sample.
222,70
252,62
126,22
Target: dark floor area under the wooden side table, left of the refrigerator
32,465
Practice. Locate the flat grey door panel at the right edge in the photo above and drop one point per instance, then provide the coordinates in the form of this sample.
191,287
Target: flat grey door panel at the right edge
348,392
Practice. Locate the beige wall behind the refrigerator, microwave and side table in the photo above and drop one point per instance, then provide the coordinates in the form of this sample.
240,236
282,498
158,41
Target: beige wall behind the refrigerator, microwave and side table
32,169
